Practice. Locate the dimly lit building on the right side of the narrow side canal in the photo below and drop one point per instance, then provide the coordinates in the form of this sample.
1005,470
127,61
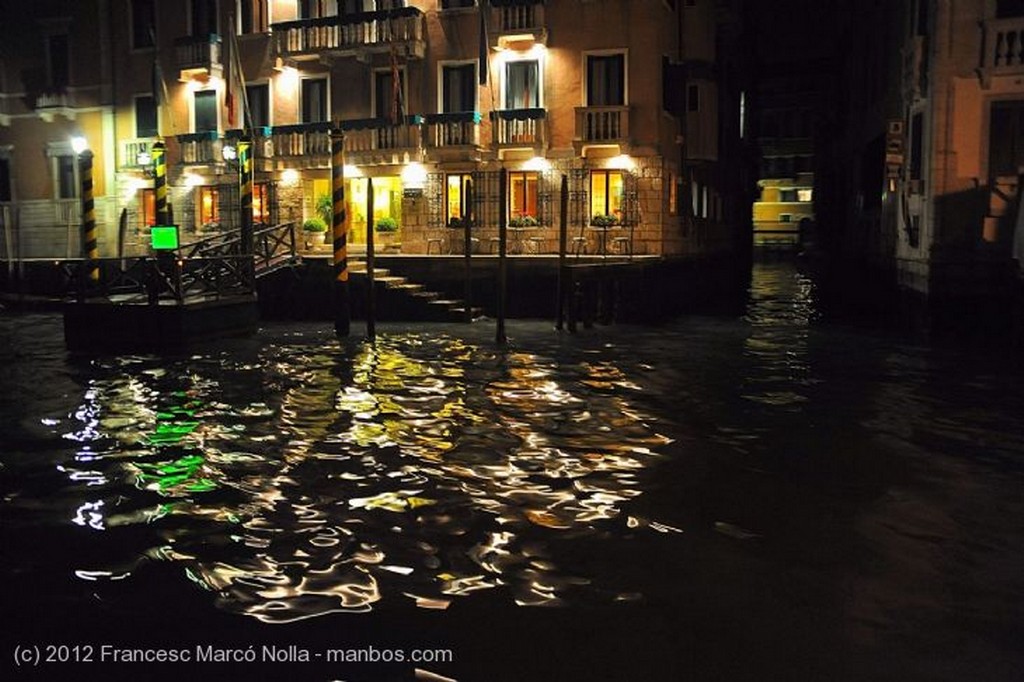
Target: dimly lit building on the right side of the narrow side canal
927,156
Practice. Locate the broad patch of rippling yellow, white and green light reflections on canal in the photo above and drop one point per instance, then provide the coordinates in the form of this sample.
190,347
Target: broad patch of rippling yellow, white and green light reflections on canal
315,480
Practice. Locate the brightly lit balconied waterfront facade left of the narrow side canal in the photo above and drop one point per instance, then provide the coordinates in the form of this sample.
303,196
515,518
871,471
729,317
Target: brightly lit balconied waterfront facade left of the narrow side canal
435,98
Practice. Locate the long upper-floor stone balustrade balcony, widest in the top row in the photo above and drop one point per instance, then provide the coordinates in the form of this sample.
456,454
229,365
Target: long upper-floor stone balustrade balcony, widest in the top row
360,35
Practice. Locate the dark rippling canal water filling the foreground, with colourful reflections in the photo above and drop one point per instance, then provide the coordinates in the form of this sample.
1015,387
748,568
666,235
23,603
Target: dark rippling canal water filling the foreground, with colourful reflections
763,496
